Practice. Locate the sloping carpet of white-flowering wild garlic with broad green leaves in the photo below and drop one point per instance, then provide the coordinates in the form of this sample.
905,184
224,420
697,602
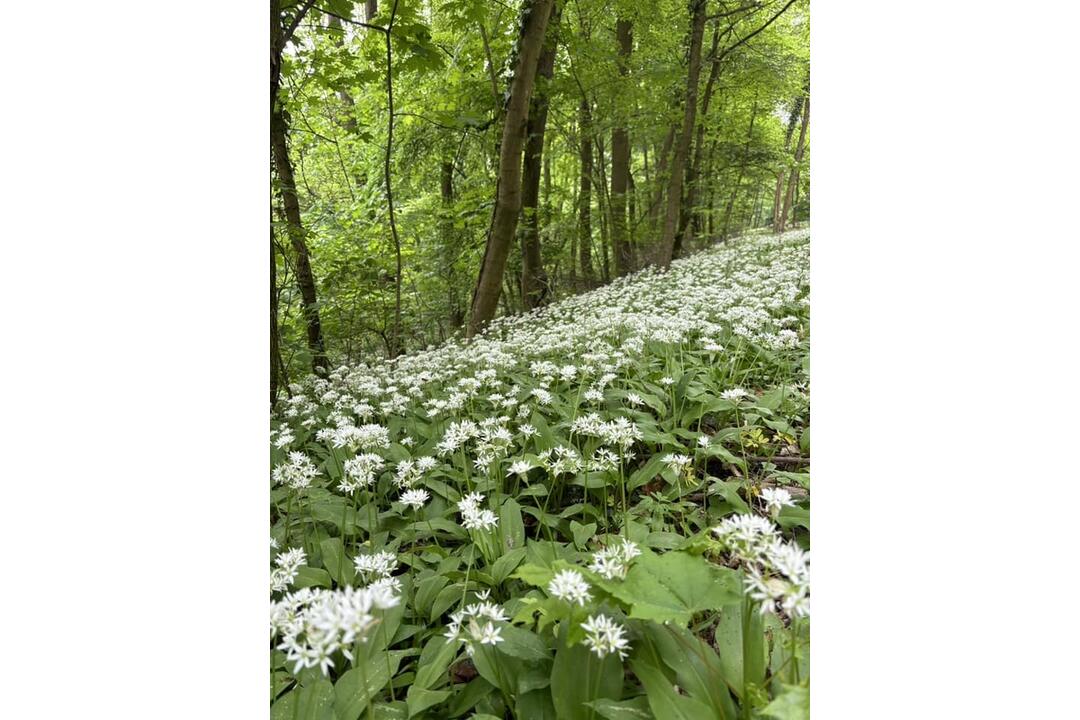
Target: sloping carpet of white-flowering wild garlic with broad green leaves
600,510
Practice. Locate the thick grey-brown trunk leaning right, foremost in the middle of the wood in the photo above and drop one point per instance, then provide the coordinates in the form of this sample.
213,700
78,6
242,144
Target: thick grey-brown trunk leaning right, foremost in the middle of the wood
509,195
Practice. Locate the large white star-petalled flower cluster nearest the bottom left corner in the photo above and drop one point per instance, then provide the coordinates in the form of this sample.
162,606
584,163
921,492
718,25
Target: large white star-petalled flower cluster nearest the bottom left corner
314,624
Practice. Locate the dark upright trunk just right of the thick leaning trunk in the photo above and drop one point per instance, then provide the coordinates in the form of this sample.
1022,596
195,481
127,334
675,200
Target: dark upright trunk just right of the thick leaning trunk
535,287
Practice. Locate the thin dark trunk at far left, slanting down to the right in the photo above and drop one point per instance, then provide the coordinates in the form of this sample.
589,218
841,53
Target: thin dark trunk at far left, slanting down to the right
287,185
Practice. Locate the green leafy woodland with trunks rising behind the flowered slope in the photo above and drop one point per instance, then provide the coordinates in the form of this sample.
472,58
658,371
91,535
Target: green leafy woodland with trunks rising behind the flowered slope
437,164
